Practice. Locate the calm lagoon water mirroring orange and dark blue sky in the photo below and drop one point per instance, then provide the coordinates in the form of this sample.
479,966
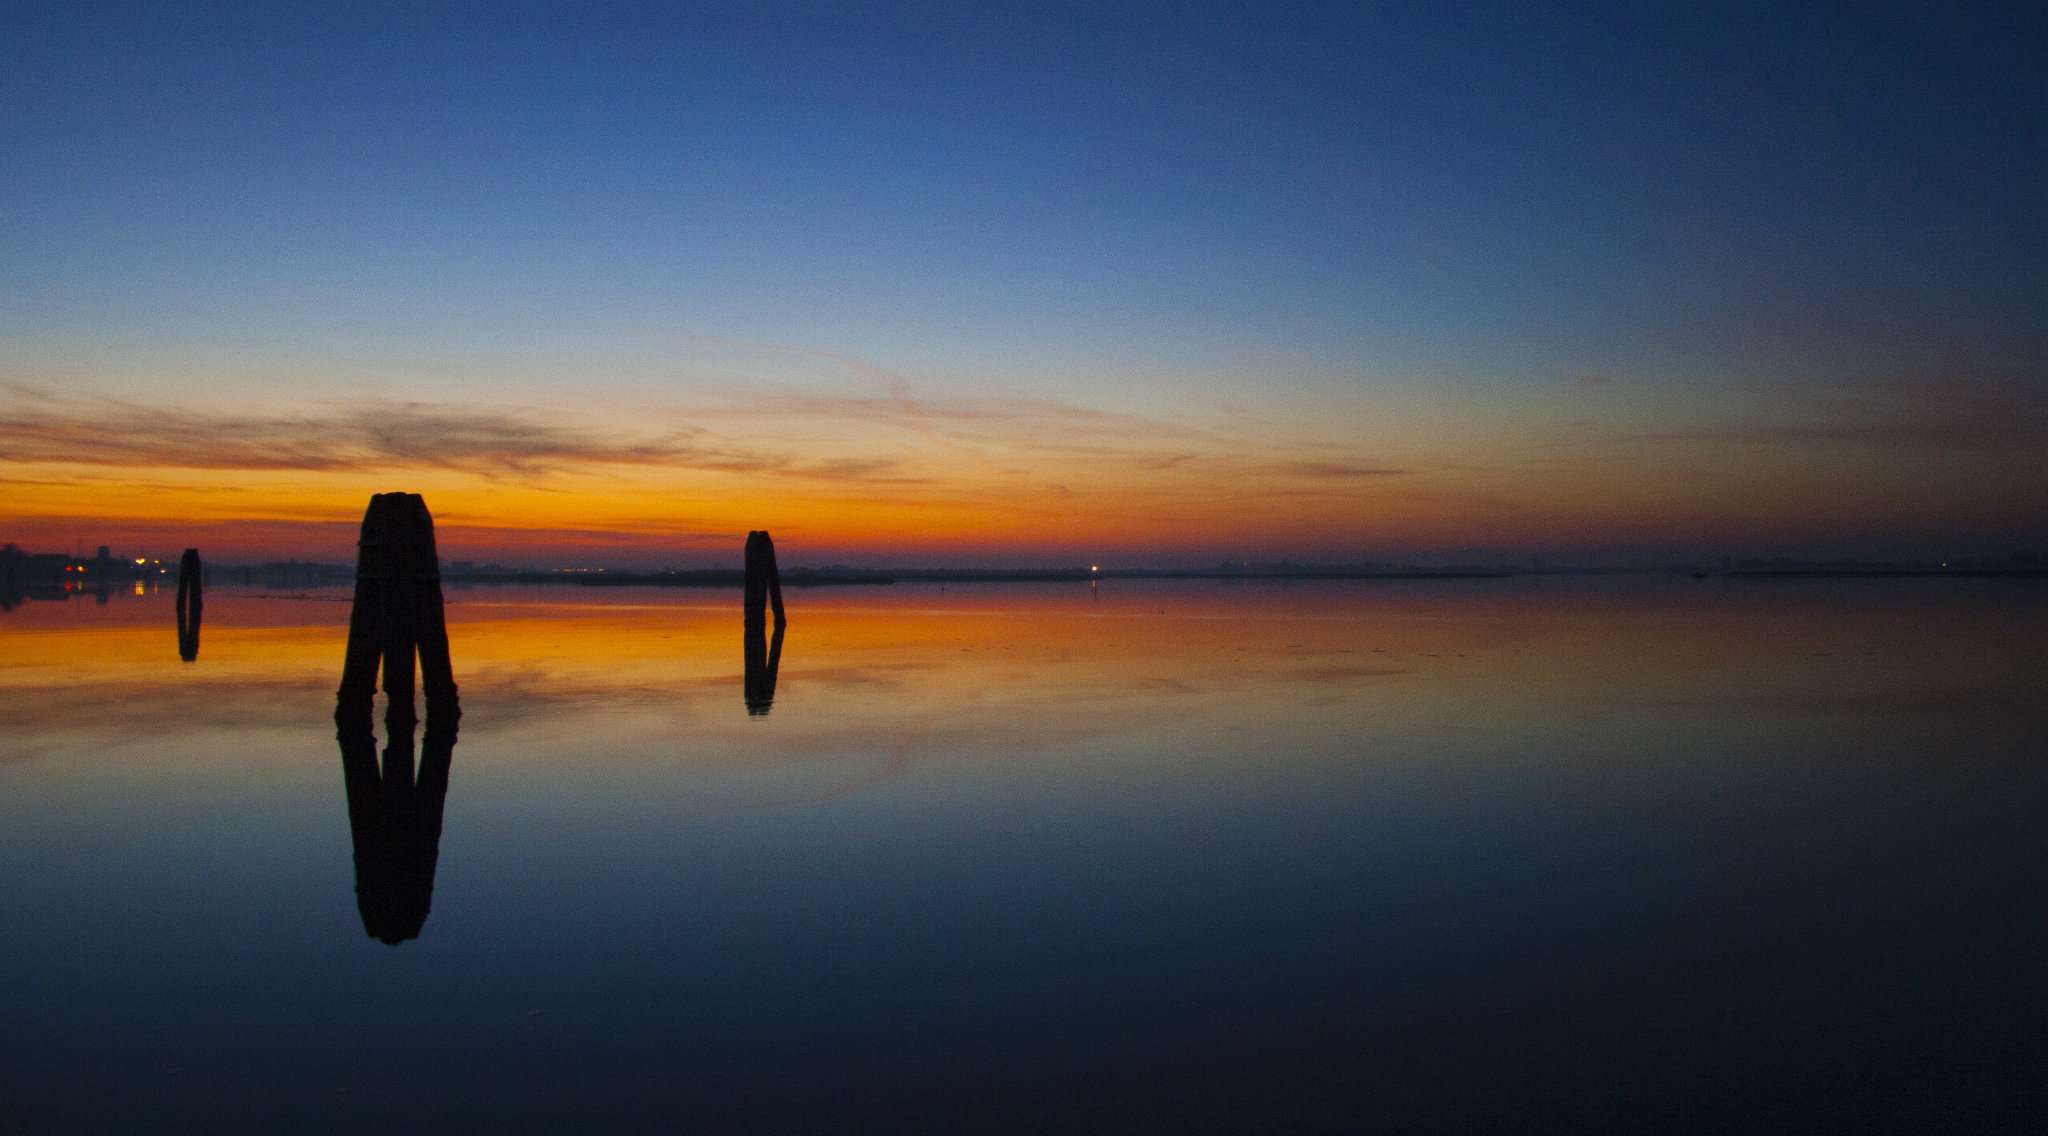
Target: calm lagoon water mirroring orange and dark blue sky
1498,855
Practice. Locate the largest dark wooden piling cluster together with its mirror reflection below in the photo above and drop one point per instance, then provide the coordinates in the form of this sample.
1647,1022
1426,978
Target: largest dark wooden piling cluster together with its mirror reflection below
394,810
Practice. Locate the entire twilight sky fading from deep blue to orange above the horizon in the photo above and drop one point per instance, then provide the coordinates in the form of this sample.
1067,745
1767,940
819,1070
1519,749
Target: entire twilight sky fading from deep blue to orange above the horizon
1027,286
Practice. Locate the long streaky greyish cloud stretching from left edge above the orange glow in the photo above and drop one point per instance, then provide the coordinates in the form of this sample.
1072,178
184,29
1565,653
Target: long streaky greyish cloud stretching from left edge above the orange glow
488,443
